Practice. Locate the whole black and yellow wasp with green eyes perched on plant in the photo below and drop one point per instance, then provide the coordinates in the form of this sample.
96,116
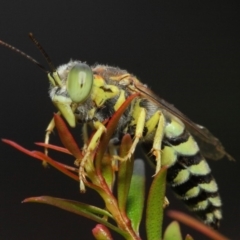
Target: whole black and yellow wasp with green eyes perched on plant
92,94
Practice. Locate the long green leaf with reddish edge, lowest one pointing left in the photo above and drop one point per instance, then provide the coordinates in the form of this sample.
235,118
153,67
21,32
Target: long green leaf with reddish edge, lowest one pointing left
77,208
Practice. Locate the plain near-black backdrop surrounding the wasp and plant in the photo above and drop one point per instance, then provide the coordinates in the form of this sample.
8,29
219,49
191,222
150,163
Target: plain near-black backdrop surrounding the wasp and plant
186,51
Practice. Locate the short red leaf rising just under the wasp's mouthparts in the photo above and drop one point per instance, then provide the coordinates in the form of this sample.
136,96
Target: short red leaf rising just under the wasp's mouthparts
66,137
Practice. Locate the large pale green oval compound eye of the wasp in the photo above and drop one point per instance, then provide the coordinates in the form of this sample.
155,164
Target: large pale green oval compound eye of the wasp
79,82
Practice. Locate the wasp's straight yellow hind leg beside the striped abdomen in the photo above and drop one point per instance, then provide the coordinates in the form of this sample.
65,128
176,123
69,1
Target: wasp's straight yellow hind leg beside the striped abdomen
157,142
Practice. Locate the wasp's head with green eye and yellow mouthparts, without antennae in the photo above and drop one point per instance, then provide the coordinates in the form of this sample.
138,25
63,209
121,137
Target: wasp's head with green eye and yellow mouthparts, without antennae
71,85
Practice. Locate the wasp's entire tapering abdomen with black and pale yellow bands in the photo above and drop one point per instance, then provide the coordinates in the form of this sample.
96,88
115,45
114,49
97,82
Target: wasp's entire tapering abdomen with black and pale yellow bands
189,174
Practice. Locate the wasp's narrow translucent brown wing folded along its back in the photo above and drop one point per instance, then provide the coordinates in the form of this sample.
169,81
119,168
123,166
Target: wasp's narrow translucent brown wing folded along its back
210,146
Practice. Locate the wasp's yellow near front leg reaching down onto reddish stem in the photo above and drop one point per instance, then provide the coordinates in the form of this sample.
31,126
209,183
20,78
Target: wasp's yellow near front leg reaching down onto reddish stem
90,148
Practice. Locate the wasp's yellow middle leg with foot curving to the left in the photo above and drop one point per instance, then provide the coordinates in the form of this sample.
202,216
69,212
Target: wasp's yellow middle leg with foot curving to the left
138,134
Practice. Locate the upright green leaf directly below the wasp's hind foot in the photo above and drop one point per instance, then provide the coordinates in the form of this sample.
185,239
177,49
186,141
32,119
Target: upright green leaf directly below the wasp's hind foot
155,202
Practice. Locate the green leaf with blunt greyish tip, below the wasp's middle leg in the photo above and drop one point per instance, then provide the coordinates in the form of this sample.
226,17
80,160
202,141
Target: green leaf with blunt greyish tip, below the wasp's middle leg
135,201
